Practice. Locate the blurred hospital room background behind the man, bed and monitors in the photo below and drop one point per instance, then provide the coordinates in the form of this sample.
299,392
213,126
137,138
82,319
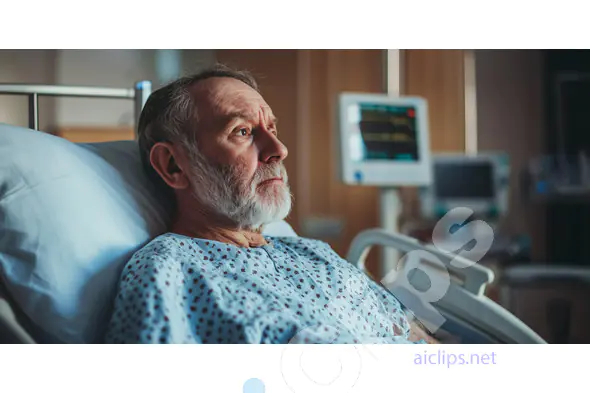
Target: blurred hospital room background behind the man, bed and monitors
531,105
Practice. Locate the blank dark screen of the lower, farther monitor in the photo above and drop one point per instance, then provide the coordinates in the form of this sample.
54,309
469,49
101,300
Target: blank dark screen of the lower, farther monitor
464,180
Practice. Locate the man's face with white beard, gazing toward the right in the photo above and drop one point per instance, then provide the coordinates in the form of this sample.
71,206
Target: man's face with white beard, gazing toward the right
238,171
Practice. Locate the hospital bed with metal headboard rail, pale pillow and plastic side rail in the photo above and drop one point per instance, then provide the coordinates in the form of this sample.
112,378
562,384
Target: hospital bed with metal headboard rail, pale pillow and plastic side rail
71,215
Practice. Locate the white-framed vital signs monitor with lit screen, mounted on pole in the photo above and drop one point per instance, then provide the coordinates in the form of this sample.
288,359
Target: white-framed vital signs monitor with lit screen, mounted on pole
383,140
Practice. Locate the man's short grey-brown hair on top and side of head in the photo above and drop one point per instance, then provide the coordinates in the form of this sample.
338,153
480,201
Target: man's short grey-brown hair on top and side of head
169,114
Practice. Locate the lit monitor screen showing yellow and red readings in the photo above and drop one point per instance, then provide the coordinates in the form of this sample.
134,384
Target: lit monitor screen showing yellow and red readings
387,132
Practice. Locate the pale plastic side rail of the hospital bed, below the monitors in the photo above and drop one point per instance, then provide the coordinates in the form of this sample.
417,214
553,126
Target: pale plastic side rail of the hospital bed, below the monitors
466,312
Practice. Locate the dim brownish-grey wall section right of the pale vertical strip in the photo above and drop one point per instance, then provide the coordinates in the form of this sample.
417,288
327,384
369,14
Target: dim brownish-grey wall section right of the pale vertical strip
510,117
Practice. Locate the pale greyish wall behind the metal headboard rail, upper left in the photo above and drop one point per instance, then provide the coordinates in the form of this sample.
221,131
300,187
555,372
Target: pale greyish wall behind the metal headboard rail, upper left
108,68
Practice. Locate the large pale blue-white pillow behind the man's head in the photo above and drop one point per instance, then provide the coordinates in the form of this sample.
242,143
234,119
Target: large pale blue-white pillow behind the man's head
70,217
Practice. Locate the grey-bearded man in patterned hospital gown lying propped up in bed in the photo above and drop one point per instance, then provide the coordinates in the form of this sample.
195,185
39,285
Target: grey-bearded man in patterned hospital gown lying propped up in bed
215,278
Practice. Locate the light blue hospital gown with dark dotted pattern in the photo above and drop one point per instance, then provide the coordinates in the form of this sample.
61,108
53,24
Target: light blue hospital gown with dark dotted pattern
179,289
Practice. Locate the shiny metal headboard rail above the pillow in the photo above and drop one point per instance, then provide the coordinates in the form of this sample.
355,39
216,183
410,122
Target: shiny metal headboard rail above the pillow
139,93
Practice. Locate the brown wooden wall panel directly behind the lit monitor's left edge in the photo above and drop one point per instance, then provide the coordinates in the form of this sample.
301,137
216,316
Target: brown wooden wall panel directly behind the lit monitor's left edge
330,72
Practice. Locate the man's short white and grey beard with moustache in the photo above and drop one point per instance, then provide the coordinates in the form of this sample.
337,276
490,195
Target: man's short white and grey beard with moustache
223,190
